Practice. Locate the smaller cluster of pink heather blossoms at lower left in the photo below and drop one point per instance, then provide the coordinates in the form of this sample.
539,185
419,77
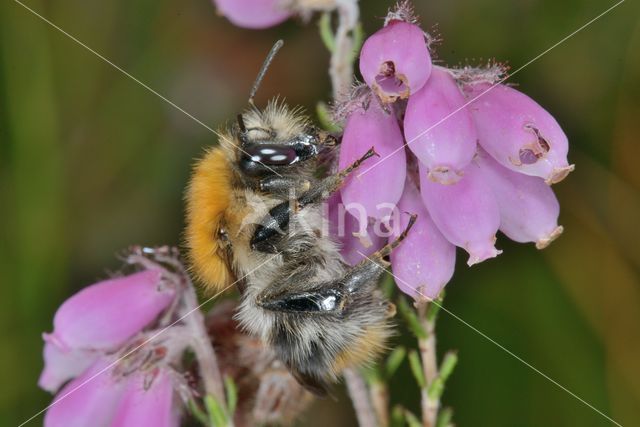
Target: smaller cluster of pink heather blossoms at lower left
100,350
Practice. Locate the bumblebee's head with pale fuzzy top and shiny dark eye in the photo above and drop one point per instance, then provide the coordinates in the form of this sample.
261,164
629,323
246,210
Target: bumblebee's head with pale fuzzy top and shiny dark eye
278,139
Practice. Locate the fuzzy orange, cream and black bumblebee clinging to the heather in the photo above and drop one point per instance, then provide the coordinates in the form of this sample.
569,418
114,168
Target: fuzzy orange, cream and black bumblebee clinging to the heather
254,211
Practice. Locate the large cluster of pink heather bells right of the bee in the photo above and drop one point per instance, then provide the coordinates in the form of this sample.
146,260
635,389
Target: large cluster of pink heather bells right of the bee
468,155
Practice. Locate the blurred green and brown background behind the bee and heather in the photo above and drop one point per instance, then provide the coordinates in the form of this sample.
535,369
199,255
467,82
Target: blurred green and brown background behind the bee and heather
91,162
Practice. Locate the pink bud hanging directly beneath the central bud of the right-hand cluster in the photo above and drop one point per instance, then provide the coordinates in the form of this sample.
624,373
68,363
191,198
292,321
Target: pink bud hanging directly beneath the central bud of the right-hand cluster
466,212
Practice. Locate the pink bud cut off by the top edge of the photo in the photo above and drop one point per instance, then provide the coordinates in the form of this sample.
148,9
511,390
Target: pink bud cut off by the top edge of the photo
254,14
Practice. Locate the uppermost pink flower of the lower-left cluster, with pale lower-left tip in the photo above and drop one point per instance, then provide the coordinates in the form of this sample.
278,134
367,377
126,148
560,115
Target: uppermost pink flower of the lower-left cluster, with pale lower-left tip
101,317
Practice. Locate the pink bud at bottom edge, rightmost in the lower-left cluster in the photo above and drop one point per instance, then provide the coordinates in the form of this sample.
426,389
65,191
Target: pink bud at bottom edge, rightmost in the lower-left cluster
148,400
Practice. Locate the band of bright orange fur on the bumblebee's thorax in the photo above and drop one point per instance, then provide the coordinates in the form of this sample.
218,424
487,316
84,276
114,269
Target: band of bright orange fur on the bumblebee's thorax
208,197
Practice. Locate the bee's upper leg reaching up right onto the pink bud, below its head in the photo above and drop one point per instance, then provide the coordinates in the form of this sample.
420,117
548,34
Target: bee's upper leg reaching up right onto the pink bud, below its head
276,223
